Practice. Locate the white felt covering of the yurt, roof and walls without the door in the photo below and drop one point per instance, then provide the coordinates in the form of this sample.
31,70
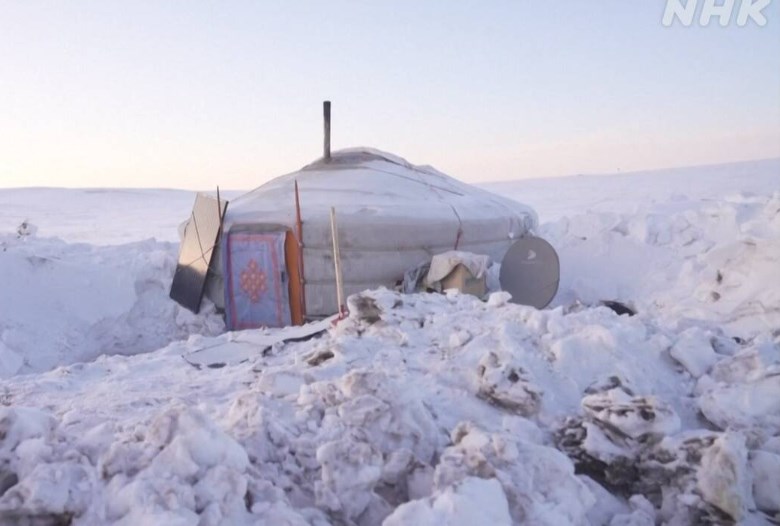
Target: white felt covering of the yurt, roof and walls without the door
392,215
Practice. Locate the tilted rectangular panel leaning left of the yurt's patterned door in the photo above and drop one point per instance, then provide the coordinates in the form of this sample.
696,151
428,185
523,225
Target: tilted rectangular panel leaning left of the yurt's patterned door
197,250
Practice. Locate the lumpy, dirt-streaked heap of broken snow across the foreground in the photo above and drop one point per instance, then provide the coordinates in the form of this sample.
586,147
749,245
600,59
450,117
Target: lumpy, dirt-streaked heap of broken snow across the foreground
405,412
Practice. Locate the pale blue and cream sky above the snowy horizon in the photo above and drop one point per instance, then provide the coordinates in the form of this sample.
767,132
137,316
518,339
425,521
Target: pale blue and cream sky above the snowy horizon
192,94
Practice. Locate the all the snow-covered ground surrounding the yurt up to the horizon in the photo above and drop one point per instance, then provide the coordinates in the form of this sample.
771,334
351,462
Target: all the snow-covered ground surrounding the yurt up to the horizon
418,409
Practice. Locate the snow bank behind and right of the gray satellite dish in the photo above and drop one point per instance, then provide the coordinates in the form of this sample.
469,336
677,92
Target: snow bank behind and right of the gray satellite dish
684,262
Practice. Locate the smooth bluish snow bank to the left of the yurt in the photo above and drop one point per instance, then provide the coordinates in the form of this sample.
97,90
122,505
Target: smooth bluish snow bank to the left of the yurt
64,303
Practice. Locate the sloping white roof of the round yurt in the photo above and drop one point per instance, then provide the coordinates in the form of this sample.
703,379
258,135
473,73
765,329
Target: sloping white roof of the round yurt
363,183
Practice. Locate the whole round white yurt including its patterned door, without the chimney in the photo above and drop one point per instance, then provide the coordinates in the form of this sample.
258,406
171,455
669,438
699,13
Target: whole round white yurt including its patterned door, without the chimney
275,265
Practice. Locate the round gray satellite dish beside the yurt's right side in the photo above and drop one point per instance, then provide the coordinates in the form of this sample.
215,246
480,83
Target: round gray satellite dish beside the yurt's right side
530,272
